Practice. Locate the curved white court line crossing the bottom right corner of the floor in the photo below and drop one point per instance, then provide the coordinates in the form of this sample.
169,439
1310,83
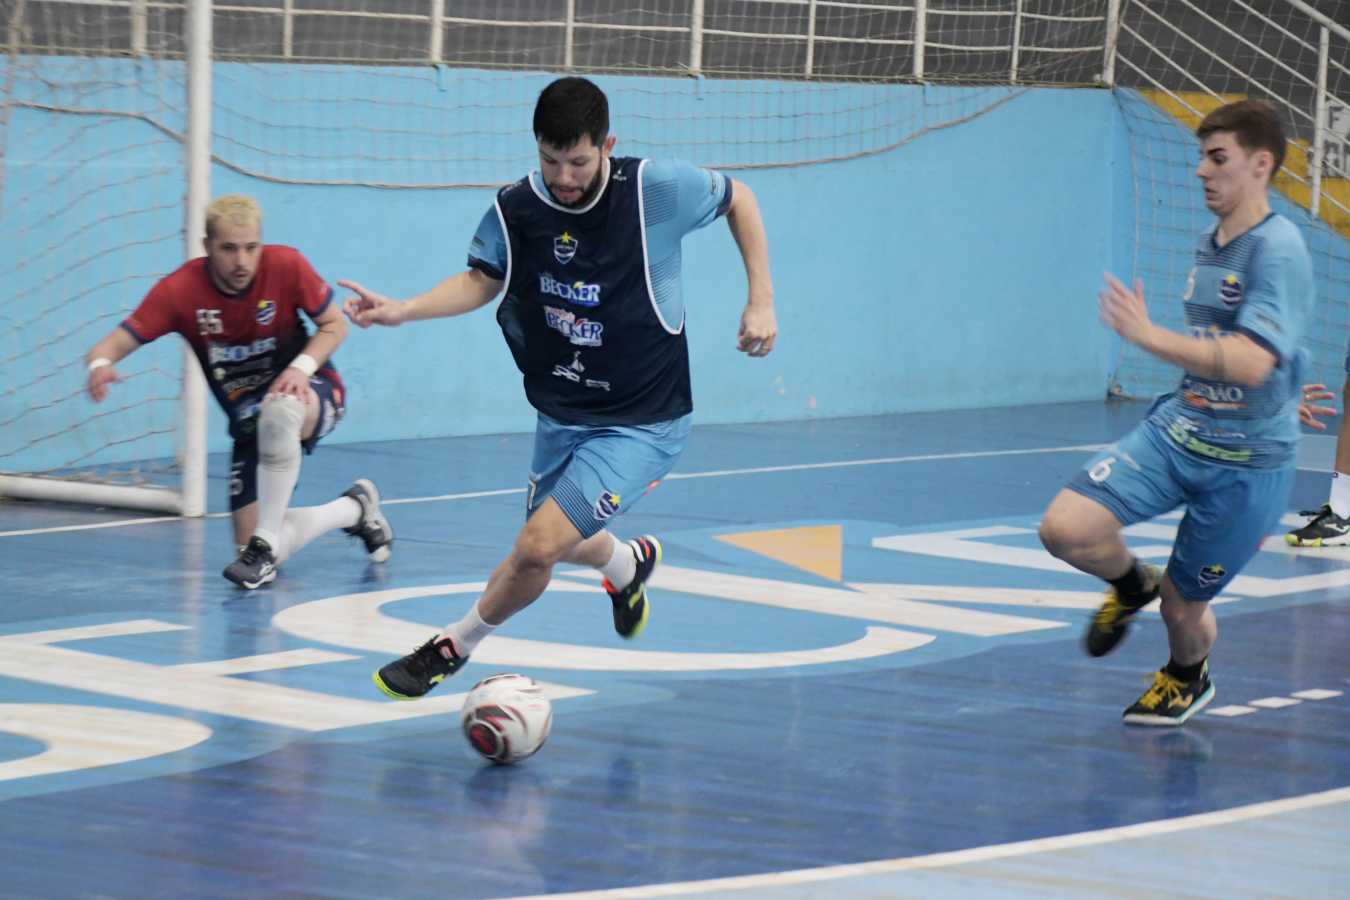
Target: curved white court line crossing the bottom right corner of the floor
963,857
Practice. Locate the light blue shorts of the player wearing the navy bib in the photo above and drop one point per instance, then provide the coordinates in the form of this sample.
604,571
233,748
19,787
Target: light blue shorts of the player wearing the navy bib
599,472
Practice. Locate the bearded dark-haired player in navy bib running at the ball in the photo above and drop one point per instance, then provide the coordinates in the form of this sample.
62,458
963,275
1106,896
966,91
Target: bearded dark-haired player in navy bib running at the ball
588,252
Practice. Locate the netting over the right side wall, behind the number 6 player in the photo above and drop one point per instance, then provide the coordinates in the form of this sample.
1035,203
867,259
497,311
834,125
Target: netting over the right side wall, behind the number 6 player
1178,61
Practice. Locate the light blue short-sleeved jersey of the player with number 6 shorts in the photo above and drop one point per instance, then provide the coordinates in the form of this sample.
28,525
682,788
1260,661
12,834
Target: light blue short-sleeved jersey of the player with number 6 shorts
1260,285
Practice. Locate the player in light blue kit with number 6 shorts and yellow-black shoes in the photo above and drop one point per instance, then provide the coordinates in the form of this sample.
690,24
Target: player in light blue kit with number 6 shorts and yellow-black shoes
1225,442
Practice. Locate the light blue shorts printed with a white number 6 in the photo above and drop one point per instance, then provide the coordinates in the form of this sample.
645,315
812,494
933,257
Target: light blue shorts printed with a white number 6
1229,509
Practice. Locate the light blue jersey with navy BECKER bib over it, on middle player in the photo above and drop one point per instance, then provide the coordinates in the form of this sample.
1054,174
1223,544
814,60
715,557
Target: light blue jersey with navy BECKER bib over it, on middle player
593,308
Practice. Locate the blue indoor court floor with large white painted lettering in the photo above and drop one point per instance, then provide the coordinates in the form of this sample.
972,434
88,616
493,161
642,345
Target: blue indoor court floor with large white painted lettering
863,678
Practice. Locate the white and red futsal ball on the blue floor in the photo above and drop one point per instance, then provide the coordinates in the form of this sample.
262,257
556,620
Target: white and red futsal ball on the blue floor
507,719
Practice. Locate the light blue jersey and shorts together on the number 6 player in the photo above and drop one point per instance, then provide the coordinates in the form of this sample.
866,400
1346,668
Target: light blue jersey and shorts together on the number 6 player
1222,450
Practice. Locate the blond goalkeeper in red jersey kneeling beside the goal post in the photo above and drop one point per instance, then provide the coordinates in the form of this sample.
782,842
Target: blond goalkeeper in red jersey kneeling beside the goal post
240,311
